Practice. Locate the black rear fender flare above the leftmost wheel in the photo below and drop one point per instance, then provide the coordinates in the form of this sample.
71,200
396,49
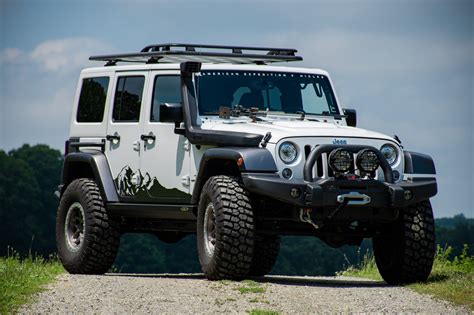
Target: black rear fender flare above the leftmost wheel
100,169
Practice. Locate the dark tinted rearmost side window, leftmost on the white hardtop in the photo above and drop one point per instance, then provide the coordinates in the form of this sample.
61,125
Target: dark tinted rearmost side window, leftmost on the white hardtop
92,99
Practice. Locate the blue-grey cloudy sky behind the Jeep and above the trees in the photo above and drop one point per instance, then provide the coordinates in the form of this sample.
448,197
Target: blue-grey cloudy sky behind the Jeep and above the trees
407,67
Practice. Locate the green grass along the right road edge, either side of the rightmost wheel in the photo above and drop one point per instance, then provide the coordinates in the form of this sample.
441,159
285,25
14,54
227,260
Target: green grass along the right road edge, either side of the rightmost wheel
450,279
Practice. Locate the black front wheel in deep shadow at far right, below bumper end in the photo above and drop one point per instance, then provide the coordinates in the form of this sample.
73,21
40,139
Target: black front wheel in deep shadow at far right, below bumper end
405,251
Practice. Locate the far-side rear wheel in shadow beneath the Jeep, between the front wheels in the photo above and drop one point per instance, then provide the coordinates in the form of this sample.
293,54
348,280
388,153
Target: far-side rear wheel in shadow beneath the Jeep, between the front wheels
266,252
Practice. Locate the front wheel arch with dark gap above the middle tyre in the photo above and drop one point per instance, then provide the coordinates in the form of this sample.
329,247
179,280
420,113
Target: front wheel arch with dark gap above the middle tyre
232,162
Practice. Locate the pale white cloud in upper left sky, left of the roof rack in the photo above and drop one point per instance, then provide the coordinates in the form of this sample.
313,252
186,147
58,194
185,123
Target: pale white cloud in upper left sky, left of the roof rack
57,55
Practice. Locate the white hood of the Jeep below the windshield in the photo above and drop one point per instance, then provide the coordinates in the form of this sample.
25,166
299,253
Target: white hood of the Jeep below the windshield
293,128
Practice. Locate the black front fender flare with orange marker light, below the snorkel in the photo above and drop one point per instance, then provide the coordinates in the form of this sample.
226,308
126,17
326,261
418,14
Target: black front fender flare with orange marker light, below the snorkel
255,160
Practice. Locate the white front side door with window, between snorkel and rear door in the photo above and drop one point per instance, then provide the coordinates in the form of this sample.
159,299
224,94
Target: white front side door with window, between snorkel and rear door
165,159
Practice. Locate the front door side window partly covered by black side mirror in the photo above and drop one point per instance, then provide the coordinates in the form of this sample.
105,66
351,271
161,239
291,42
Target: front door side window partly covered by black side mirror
167,89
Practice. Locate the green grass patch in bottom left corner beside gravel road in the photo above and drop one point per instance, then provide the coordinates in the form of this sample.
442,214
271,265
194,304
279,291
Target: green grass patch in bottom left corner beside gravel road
21,278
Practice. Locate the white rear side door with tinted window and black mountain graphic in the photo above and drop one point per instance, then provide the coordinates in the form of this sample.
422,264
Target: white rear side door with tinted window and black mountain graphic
123,134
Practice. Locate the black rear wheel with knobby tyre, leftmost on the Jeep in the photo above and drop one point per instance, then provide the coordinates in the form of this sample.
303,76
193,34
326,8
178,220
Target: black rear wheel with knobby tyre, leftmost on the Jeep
87,238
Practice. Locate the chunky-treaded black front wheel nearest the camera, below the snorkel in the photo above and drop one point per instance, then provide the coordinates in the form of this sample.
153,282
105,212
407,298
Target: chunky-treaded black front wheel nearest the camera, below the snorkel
225,229
